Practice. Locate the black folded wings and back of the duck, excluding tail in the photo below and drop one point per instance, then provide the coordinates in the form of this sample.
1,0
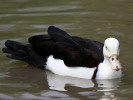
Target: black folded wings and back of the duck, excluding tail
74,51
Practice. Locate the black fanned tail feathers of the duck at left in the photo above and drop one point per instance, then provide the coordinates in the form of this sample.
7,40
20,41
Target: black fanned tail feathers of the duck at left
23,52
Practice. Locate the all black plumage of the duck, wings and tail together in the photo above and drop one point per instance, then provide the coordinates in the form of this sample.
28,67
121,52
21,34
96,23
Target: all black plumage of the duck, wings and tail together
74,51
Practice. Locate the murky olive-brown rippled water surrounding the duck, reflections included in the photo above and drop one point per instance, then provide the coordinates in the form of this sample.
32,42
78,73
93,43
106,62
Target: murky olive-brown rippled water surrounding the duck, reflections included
92,19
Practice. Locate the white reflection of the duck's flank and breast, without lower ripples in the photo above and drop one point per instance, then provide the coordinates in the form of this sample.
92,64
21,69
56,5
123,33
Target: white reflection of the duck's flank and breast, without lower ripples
58,82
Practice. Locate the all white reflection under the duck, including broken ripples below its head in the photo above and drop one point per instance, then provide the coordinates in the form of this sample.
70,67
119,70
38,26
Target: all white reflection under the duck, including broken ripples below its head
57,82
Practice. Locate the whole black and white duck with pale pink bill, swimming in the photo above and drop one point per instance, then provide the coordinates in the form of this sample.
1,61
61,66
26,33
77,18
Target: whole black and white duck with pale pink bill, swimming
67,55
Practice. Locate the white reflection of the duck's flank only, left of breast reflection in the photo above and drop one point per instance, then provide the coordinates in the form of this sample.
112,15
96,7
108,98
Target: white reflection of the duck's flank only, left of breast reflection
58,82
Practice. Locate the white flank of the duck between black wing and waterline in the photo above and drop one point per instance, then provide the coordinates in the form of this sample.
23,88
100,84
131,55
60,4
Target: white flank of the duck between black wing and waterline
57,66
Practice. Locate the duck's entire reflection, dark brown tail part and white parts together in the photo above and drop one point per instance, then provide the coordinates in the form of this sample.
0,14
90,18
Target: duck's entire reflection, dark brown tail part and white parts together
39,80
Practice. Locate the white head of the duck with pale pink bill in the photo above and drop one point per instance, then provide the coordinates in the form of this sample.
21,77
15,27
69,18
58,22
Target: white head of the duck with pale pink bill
111,53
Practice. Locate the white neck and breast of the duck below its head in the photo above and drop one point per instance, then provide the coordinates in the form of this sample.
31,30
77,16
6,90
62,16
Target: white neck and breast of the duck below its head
105,71
